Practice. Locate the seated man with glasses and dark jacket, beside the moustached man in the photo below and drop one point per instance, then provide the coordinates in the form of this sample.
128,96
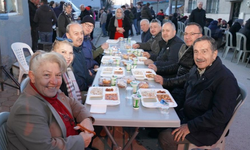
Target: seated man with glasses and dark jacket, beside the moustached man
179,70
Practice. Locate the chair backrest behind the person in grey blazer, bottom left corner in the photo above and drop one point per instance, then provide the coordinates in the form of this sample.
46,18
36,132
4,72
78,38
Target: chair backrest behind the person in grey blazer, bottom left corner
3,136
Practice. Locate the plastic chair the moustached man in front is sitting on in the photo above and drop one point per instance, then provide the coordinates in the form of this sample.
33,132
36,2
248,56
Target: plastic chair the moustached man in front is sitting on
221,142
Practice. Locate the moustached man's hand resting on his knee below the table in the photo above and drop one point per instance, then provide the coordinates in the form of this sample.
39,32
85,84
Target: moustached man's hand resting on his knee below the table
181,132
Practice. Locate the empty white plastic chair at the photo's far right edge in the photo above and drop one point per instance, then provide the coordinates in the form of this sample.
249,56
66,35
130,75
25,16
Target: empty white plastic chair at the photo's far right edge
241,49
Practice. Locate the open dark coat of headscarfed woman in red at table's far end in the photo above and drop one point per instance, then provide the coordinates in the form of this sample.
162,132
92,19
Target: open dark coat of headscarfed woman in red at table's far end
112,29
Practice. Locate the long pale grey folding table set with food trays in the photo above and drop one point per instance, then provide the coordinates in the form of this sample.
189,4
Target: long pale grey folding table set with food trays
125,115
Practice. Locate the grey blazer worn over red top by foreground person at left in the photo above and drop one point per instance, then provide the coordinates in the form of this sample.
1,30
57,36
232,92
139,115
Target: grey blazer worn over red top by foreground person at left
34,123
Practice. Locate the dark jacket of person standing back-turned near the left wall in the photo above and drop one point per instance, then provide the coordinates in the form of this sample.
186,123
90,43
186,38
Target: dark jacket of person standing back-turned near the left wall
46,18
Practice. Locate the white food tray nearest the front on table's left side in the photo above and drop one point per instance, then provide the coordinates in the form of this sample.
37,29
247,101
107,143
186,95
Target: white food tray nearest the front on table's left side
103,95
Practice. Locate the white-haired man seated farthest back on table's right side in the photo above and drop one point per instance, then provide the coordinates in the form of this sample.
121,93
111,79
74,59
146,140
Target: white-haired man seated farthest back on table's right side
146,35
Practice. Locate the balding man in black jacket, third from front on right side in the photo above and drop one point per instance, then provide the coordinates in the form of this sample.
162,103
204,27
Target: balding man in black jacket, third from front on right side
169,47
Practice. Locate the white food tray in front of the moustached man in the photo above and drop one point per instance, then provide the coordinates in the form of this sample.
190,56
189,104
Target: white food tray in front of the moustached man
151,98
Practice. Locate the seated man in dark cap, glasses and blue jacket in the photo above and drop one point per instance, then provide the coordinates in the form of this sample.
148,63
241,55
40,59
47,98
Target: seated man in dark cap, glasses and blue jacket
90,52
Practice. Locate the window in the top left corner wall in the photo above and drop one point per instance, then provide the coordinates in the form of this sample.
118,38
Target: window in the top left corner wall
8,6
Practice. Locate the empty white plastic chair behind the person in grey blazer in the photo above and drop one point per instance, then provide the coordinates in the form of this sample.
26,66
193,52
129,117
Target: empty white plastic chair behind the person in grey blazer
17,48
